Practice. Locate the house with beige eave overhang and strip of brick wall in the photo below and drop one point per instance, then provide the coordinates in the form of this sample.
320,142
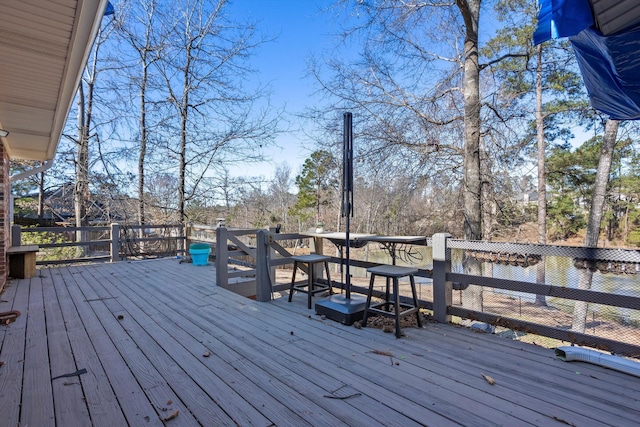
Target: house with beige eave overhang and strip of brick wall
44,46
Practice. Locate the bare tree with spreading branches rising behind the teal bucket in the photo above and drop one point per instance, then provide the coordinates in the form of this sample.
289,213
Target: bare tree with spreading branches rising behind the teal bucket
217,120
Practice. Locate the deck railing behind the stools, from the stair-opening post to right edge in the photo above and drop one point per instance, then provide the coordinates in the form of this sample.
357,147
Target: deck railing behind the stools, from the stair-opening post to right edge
445,281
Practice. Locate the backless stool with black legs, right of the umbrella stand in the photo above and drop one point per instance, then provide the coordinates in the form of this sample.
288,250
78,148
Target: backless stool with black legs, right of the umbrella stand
393,273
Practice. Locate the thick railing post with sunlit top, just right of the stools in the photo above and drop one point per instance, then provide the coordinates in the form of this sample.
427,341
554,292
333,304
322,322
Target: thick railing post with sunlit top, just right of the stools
442,289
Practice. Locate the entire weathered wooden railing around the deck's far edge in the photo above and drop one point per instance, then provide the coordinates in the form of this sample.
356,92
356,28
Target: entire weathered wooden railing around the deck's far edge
247,260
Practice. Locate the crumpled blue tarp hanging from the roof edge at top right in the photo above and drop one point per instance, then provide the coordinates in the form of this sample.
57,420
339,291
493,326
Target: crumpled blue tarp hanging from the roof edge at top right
609,64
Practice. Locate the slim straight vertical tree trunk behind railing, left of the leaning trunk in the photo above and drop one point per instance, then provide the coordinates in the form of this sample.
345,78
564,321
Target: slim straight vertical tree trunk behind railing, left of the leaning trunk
542,178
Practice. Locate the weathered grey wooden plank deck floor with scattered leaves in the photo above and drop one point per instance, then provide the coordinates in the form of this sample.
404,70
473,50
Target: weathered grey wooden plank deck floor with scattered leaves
156,337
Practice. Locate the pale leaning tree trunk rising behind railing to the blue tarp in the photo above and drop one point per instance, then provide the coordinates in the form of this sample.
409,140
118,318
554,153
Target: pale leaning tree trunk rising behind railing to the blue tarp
595,219
